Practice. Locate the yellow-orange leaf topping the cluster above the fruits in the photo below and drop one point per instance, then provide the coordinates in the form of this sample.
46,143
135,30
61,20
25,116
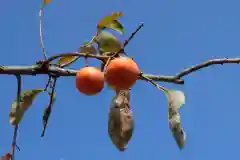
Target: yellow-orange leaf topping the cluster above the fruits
107,20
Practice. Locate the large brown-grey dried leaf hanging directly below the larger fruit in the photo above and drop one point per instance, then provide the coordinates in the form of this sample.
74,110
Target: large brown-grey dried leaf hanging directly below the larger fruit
120,123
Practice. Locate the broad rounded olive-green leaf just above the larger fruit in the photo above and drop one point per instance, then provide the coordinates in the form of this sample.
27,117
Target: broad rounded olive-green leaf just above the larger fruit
108,42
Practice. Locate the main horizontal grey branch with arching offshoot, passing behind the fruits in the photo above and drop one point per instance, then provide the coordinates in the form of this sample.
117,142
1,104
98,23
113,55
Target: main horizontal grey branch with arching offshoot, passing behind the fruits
54,70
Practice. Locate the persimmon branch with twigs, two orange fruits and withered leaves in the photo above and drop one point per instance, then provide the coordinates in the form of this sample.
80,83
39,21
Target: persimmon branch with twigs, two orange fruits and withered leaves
117,70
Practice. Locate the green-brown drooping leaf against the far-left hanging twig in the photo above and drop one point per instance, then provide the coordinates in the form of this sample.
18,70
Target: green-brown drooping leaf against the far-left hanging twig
26,100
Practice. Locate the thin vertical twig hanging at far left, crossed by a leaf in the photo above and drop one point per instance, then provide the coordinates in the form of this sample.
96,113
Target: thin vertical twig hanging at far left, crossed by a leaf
19,86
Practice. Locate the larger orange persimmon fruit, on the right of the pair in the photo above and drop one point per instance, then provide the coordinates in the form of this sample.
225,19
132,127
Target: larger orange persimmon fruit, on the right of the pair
121,73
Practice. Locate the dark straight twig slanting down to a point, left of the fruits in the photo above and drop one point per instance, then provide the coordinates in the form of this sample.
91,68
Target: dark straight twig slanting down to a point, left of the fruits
49,108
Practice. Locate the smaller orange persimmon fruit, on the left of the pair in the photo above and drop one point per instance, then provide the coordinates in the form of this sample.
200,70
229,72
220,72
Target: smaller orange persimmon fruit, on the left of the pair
89,81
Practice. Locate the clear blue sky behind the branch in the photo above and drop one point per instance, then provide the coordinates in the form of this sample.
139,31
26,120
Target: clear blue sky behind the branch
177,34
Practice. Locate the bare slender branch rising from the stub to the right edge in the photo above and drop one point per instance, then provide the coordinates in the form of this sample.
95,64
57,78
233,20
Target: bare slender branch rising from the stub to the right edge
207,64
